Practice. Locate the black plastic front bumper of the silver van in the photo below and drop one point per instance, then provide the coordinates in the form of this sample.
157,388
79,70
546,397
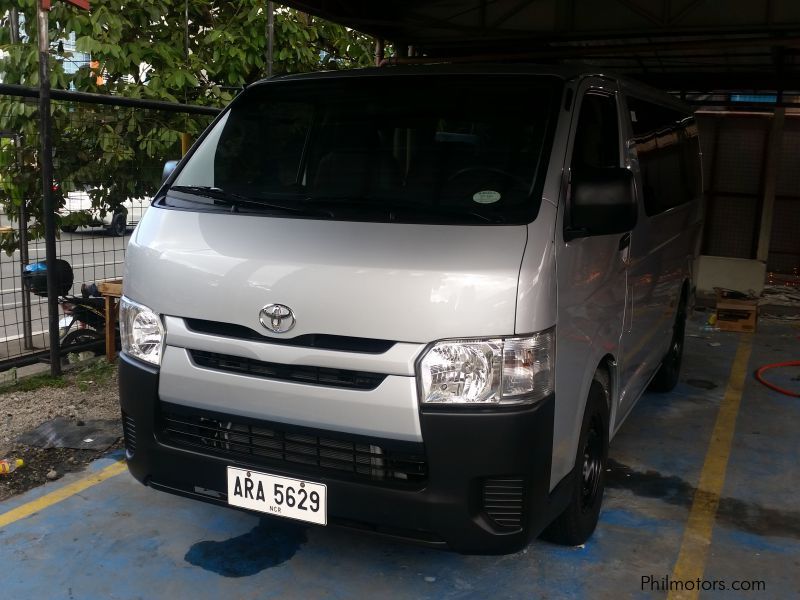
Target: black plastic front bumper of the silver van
462,451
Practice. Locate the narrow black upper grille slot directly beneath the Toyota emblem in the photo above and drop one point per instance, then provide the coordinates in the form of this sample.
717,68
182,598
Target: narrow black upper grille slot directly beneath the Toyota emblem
323,341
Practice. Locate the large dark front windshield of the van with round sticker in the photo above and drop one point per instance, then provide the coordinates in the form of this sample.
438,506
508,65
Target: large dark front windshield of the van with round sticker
448,149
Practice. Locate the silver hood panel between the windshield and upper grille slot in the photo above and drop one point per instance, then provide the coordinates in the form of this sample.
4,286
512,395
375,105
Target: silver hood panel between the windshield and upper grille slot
399,282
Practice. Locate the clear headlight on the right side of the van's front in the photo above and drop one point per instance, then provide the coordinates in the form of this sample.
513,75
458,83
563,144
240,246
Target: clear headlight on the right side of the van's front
500,371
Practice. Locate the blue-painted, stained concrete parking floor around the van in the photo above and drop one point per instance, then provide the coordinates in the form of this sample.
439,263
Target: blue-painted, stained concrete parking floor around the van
118,539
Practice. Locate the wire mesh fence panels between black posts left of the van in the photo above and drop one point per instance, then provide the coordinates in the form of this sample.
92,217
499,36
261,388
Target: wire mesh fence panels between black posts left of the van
108,158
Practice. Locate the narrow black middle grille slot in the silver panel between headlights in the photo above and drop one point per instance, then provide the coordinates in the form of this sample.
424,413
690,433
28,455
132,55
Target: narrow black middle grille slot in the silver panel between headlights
359,380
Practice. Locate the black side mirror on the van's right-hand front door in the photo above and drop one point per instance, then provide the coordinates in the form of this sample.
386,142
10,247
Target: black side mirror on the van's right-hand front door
603,202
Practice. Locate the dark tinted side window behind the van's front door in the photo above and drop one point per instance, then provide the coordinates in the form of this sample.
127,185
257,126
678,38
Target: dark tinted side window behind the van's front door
667,148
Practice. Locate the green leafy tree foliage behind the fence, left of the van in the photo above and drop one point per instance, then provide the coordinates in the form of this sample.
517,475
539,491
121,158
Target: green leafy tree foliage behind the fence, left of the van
140,52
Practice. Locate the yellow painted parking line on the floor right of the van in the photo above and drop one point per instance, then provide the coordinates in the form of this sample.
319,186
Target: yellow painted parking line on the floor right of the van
697,535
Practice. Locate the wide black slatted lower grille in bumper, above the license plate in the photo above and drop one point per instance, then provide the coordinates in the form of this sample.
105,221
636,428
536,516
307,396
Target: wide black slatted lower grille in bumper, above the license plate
309,450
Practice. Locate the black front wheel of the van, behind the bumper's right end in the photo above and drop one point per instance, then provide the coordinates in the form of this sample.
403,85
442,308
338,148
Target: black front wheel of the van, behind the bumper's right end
578,521
